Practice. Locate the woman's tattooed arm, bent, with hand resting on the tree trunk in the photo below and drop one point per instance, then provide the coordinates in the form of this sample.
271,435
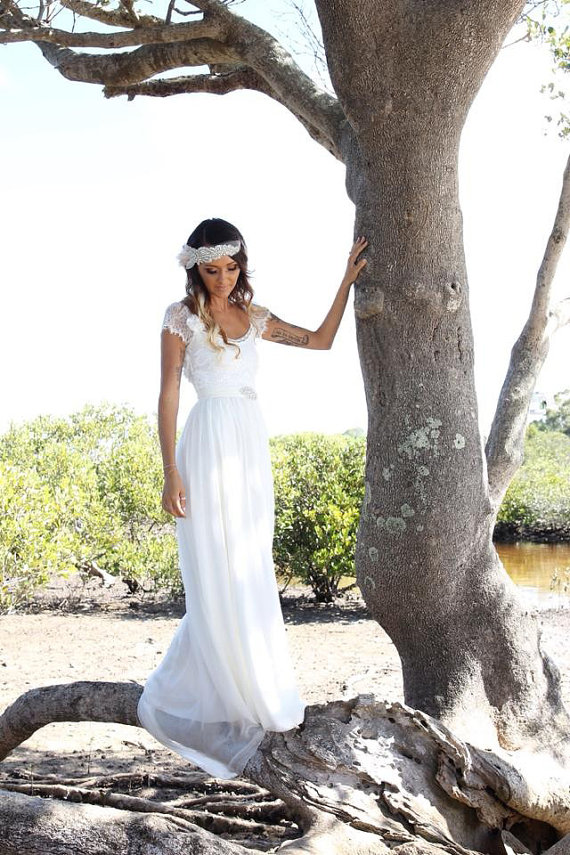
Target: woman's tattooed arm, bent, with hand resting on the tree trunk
282,332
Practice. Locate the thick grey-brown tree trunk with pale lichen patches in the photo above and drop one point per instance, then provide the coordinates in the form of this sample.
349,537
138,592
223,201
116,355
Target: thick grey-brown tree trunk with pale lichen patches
426,565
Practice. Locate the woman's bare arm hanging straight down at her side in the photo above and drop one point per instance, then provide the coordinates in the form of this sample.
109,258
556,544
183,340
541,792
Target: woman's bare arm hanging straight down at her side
172,360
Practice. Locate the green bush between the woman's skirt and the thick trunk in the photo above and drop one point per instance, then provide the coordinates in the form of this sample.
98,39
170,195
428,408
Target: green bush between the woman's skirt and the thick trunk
319,486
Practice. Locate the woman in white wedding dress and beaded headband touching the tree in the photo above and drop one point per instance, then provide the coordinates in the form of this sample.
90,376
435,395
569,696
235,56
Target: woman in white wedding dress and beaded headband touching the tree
227,676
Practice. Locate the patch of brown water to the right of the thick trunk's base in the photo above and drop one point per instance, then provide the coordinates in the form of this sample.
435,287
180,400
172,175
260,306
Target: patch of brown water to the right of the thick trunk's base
542,570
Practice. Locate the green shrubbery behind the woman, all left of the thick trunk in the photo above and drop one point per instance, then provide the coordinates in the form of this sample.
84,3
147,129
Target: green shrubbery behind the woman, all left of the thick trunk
86,489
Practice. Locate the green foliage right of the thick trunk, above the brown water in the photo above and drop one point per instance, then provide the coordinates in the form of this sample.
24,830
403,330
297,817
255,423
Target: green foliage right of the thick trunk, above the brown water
537,503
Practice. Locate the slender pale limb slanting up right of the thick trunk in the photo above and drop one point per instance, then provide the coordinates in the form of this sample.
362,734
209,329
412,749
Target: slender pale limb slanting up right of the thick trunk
504,448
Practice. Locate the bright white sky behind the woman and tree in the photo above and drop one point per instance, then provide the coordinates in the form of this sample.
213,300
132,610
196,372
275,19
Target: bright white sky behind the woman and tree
98,197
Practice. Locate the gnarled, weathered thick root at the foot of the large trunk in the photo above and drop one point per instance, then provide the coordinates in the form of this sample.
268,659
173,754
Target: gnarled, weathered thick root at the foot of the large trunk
377,765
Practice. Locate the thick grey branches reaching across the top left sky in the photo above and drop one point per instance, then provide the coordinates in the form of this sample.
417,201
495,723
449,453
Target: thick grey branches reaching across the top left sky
221,38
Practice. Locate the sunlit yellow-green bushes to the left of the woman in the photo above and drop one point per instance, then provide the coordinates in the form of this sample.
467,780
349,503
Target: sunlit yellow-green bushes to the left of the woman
78,491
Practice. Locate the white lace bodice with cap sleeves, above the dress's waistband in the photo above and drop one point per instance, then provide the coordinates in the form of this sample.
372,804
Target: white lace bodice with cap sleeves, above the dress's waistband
205,367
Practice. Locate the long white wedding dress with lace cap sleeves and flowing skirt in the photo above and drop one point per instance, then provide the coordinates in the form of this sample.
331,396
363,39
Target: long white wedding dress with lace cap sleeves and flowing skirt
227,676
